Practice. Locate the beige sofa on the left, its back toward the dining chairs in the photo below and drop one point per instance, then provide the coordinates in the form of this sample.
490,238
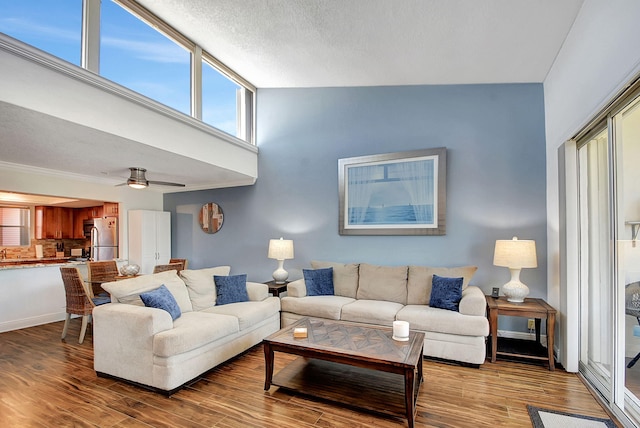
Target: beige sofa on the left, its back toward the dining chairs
145,346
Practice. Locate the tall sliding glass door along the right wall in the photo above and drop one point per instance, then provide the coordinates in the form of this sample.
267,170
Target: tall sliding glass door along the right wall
609,213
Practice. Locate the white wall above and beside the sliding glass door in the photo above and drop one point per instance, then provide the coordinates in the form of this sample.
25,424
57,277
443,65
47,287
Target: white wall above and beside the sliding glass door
600,55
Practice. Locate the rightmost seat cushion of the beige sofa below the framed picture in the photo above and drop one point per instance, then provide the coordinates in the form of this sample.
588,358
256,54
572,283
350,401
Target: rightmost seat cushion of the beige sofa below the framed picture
425,318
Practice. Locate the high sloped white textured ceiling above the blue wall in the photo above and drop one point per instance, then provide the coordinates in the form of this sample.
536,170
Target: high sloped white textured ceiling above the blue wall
315,43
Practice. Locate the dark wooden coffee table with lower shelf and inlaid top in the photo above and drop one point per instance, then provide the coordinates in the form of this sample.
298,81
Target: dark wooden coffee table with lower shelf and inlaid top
353,364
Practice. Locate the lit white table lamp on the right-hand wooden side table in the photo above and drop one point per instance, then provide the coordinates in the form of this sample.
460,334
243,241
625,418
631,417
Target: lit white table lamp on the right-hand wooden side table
515,254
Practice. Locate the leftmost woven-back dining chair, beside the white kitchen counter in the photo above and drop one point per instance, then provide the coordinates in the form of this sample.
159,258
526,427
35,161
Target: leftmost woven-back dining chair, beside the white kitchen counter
78,300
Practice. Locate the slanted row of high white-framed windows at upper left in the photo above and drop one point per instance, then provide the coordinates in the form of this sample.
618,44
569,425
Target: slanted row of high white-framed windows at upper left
138,51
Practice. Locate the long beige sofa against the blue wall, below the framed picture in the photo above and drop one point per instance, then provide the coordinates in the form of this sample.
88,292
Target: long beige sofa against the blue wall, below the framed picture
381,294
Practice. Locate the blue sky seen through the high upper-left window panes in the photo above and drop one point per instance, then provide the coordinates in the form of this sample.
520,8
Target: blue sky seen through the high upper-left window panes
132,54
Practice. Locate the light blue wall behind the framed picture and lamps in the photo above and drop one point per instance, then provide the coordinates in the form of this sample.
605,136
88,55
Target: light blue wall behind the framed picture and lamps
494,135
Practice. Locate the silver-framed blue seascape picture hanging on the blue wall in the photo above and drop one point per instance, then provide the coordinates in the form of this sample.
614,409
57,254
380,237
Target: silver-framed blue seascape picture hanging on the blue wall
402,193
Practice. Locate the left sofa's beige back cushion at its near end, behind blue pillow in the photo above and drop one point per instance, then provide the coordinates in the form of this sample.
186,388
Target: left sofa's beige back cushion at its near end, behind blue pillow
129,290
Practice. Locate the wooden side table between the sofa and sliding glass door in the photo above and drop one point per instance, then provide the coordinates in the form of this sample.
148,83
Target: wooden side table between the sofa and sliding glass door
531,308
